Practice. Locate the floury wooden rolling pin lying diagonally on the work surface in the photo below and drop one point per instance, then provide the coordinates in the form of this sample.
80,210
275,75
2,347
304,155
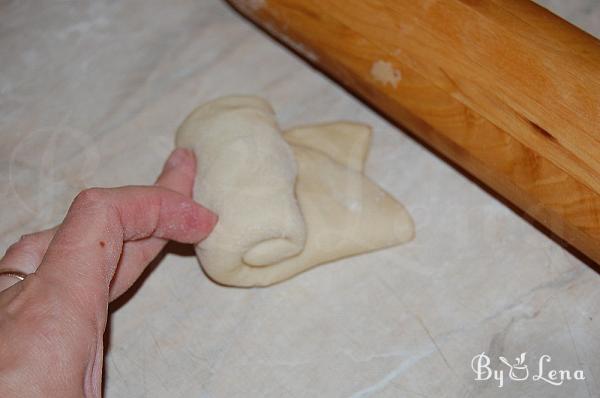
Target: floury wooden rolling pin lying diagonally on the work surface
503,88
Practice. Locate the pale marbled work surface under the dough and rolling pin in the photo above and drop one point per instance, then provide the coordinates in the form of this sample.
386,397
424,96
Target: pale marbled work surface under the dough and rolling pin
91,93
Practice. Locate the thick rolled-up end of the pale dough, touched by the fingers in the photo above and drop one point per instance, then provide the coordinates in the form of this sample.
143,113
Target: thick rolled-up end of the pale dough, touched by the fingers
246,175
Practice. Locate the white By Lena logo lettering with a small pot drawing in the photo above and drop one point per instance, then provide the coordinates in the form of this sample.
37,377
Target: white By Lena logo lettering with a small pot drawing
519,371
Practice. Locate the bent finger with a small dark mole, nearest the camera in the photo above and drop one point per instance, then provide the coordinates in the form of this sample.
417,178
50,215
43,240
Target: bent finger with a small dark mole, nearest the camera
81,259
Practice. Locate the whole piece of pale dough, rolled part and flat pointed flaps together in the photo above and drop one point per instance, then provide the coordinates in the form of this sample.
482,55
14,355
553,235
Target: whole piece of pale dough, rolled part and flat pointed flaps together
286,203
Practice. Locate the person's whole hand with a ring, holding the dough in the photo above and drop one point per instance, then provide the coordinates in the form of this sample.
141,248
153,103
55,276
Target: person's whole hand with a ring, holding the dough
52,323
